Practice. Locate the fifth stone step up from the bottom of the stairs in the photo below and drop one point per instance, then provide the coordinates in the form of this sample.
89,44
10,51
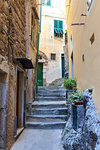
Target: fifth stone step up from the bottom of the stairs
50,98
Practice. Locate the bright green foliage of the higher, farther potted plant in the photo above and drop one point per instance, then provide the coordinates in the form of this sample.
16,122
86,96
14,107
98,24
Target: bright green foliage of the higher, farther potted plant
70,84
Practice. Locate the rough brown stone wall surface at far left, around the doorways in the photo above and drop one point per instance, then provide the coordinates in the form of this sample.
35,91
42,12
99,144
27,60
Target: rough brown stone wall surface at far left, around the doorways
18,34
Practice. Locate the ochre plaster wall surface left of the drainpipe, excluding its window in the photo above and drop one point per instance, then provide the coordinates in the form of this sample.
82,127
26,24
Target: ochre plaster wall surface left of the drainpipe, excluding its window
32,53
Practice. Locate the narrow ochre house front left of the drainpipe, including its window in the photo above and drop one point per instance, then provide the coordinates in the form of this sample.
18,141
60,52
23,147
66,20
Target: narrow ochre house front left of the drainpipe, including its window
32,30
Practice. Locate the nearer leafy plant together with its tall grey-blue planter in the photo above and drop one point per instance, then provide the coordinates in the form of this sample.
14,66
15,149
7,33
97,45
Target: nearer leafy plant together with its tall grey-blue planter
77,109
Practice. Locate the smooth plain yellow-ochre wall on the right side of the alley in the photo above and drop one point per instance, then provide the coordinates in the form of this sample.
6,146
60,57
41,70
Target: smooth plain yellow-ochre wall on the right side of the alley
87,72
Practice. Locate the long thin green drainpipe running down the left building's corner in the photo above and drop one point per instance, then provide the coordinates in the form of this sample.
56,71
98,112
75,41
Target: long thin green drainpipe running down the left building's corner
38,45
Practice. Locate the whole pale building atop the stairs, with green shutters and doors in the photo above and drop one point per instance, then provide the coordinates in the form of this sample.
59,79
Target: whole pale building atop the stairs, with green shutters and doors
51,56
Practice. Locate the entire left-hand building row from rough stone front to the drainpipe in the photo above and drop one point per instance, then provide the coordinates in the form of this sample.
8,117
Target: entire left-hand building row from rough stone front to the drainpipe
19,27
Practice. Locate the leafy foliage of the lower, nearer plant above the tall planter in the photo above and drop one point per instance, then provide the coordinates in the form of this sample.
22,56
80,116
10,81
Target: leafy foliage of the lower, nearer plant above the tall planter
76,97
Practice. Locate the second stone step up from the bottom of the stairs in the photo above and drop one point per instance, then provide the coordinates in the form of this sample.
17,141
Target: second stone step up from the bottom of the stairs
46,118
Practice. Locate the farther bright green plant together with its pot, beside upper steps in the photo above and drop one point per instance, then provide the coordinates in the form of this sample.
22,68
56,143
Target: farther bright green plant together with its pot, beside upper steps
70,85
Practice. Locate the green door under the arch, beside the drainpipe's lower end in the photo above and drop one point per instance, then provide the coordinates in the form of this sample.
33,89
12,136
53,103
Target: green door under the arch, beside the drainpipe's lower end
40,74
